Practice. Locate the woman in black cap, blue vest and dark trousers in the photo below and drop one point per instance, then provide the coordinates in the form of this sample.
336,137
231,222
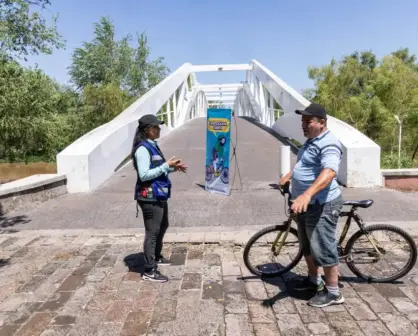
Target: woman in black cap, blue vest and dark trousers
152,190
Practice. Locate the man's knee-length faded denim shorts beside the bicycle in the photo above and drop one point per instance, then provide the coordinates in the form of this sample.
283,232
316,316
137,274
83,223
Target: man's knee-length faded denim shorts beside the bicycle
317,229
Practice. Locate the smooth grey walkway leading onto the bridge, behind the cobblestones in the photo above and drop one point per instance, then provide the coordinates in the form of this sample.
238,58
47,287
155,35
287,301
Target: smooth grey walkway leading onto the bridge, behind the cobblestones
252,202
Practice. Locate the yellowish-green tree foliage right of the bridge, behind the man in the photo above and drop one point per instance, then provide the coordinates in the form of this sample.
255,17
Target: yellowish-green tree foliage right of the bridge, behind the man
368,93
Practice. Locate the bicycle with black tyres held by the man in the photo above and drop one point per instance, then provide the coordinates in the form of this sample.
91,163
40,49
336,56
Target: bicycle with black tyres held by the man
346,253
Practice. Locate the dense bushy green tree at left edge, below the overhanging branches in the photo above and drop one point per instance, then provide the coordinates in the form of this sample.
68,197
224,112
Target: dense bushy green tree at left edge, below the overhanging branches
29,122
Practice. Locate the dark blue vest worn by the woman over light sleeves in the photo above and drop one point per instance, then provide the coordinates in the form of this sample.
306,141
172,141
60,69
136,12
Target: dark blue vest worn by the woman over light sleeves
157,189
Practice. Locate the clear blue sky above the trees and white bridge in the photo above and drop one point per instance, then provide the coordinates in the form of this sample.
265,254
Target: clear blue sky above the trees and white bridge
286,36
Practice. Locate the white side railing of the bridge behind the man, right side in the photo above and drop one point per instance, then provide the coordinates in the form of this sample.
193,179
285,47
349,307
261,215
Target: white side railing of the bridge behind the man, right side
360,166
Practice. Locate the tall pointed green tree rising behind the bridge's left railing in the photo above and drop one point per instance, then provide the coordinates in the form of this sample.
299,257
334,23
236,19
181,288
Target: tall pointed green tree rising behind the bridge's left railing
106,60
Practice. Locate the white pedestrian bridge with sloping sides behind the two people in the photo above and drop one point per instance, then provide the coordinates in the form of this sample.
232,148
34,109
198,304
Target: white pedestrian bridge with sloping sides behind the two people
180,98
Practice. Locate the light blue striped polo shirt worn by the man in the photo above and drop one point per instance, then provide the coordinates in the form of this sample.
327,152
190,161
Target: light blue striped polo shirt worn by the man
323,151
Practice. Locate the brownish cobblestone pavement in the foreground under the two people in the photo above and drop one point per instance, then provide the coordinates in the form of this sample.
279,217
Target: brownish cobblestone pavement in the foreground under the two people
83,282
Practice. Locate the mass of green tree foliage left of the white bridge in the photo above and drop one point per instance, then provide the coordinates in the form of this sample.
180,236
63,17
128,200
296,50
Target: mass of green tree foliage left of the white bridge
38,116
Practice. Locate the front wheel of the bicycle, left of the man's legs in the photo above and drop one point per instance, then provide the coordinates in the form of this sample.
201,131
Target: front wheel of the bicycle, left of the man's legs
272,251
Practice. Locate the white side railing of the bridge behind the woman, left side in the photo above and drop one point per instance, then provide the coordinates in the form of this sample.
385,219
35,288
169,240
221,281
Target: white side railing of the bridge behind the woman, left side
95,156
